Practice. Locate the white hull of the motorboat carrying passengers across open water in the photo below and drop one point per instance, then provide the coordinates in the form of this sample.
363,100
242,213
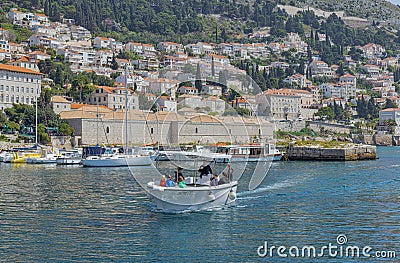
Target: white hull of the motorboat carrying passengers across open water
194,197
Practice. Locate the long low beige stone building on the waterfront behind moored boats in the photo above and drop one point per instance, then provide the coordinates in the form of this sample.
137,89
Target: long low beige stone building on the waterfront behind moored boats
168,128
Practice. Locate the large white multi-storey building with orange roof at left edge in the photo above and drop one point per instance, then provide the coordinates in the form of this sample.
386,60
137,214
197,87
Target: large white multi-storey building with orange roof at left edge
18,85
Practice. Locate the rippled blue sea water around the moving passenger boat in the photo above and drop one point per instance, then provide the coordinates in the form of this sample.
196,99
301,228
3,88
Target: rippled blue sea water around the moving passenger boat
72,214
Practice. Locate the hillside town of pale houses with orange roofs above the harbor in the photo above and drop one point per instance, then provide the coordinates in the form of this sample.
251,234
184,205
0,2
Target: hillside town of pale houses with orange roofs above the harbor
198,79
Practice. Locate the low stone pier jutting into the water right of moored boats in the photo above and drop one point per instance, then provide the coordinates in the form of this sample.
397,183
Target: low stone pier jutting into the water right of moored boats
350,153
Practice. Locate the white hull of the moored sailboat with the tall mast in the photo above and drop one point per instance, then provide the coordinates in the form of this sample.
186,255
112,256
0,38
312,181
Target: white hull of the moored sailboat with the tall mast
116,161
